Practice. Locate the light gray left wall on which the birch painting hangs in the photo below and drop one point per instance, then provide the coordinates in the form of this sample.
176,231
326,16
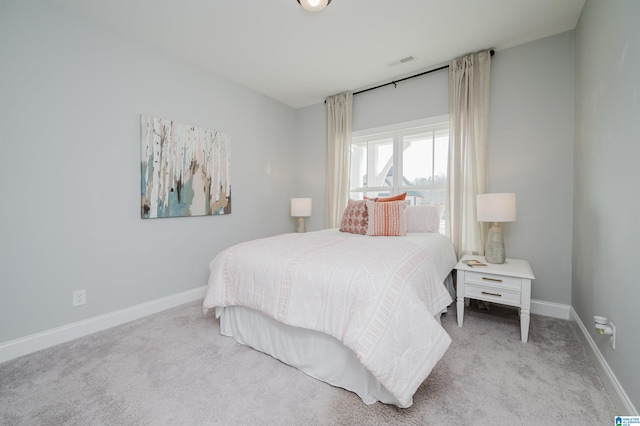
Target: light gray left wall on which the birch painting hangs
71,95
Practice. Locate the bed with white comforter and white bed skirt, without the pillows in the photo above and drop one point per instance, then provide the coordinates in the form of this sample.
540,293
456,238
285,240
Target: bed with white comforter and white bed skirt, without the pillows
354,311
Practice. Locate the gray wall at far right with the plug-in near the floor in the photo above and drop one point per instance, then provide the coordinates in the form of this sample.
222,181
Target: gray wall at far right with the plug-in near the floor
607,187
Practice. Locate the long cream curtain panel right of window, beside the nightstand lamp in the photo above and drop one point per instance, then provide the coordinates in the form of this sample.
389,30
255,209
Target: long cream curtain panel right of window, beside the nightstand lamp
469,83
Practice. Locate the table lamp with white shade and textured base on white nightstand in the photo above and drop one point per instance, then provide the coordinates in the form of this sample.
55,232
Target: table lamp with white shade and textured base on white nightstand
496,208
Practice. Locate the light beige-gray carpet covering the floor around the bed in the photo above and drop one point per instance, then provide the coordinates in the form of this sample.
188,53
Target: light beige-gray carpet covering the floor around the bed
174,368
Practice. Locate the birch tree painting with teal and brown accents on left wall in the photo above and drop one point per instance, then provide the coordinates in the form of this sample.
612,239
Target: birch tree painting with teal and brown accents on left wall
185,170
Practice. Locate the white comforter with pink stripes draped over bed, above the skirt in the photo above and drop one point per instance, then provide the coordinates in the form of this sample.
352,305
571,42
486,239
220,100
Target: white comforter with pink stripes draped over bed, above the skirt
378,295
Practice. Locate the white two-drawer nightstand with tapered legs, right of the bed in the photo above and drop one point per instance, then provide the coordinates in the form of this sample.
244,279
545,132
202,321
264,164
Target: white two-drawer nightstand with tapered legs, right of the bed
508,283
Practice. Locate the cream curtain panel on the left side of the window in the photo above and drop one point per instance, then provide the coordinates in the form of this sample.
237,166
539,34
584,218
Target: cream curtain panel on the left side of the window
339,112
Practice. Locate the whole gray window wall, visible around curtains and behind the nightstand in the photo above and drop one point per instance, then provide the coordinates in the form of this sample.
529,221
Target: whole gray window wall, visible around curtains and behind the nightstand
530,147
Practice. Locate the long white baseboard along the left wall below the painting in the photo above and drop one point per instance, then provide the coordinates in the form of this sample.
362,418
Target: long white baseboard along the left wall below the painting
35,342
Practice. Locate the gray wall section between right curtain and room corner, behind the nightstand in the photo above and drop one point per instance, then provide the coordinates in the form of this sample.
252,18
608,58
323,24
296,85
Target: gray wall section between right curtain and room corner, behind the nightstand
531,154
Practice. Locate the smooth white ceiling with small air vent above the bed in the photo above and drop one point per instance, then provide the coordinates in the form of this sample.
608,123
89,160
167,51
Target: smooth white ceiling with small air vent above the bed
299,58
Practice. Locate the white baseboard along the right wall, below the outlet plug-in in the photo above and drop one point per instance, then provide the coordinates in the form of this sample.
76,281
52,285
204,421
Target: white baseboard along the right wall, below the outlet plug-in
617,393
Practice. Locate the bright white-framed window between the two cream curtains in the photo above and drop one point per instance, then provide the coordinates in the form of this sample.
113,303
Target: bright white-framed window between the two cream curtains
409,157
